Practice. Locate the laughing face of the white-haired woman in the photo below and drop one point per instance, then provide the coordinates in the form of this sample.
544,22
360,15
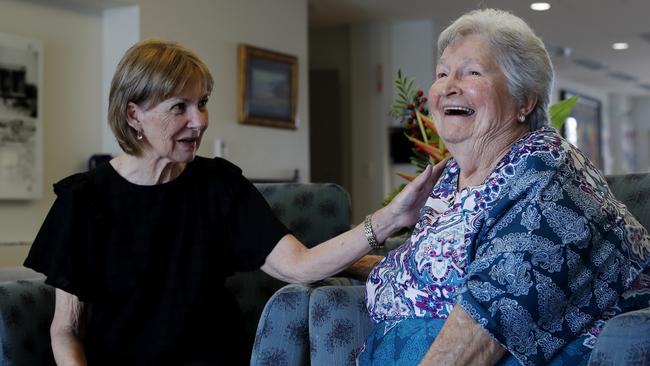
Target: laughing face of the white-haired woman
469,100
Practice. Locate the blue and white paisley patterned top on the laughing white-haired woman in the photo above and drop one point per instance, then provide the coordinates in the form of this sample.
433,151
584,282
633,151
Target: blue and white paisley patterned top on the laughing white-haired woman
540,254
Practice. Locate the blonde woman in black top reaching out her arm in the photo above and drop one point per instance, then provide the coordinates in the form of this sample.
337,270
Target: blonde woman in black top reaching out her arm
138,249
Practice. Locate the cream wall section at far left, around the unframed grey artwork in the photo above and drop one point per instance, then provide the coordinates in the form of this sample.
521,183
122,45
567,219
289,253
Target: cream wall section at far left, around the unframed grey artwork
71,106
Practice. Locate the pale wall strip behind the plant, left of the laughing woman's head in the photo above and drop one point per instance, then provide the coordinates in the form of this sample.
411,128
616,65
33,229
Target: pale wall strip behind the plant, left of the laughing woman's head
377,51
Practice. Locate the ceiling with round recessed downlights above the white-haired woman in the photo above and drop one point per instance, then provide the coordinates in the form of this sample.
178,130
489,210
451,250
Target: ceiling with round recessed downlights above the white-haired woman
585,27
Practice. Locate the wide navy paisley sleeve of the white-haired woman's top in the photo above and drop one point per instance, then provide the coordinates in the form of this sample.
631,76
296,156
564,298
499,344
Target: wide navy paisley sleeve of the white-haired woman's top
551,259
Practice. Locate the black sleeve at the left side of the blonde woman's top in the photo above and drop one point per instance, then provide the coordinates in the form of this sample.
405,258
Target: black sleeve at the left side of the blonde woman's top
61,249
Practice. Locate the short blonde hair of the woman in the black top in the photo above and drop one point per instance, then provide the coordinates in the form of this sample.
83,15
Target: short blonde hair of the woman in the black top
150,72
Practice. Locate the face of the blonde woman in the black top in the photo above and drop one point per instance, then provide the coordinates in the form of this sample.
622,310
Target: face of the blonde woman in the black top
173,128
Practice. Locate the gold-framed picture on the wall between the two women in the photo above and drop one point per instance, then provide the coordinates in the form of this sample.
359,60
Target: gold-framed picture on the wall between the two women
268,85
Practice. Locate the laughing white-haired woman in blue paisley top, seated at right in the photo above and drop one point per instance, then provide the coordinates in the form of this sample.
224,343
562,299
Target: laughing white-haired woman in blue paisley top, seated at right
521,252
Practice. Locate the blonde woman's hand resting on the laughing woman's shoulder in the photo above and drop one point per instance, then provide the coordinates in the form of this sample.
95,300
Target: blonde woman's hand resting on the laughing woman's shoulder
406,205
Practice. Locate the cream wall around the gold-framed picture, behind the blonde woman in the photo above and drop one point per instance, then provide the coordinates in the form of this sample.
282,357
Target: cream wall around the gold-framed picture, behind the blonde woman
213,29
